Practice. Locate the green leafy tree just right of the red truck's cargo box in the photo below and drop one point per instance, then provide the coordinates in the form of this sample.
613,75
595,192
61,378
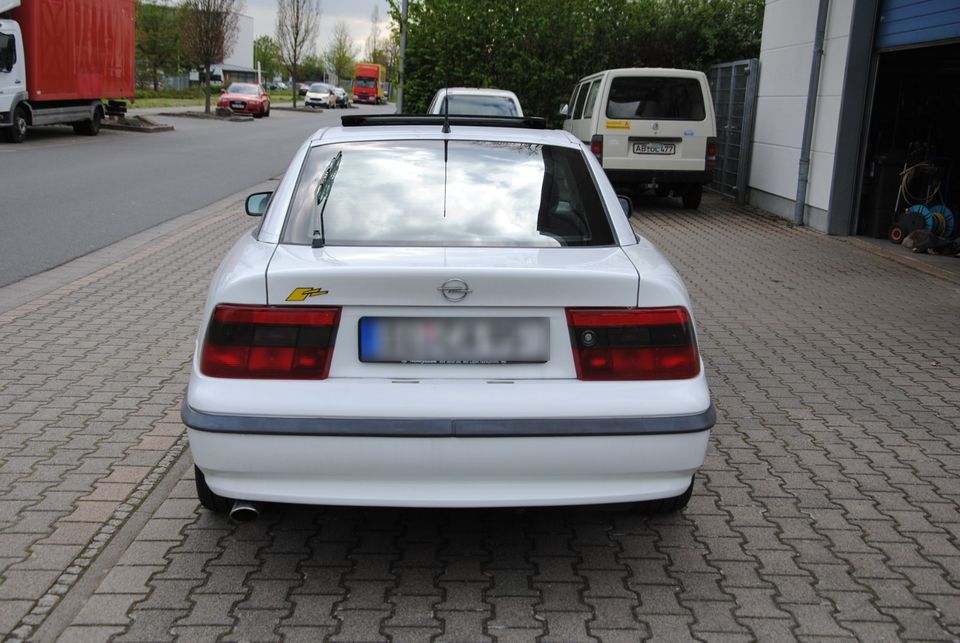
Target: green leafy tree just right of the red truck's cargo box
158,41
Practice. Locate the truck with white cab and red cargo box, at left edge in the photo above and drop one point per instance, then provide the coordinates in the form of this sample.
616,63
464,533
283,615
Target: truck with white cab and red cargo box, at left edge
60,58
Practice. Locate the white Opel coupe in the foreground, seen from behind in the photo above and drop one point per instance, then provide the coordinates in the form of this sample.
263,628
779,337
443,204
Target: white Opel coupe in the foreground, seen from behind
431,318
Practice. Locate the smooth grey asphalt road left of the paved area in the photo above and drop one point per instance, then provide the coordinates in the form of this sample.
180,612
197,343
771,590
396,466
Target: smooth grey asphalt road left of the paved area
63,196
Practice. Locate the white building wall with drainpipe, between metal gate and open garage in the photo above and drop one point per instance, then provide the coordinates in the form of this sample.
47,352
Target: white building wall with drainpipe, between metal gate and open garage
786,50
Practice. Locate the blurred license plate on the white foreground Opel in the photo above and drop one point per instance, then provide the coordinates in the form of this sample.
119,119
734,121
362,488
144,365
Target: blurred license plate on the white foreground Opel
455,340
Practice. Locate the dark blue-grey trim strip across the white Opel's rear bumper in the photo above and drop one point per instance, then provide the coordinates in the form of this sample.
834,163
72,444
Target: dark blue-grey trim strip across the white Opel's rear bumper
474,428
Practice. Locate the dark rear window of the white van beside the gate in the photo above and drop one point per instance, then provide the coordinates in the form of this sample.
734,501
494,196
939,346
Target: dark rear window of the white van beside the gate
649,97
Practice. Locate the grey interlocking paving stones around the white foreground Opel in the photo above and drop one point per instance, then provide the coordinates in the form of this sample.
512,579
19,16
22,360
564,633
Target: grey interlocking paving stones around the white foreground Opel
827,507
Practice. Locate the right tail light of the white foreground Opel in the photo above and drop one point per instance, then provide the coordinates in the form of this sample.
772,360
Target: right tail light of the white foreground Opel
633,344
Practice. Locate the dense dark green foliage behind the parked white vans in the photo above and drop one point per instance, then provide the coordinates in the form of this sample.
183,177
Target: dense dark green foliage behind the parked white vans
539,49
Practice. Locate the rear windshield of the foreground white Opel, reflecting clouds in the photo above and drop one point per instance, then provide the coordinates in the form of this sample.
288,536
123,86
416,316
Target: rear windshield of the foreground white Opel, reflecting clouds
458,193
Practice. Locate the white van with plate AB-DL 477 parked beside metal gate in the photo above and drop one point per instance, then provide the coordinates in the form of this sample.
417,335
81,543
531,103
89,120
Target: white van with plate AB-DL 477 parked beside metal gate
651,128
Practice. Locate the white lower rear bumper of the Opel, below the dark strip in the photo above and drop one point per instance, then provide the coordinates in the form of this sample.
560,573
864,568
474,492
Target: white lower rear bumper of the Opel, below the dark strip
448,471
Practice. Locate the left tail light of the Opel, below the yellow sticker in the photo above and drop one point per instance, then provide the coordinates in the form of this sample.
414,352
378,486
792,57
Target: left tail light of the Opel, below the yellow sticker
269,342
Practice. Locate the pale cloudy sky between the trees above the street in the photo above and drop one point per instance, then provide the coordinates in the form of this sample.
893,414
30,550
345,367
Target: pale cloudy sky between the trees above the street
354,13
